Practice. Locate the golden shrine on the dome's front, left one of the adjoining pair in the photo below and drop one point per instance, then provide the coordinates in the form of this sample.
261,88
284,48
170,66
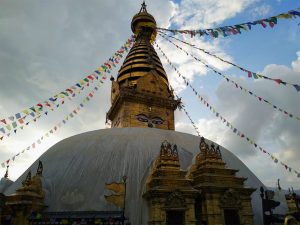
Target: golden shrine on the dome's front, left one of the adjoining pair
168,191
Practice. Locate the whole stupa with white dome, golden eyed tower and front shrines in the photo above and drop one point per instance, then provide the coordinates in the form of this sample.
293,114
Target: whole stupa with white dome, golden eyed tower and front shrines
172,177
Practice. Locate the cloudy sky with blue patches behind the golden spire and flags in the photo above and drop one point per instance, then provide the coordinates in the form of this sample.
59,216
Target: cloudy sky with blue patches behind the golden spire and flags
47,46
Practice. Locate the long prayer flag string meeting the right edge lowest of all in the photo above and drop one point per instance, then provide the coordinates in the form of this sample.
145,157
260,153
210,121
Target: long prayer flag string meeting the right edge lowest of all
224,120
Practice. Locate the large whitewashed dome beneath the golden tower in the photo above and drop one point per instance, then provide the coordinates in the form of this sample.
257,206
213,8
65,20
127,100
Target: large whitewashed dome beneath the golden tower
76,169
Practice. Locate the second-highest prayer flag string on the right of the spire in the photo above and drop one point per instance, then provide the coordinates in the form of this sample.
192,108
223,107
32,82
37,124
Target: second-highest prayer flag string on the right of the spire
250,74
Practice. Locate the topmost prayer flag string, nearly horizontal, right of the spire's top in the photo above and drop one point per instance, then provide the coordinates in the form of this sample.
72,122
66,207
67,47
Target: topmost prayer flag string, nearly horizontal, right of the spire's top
238,28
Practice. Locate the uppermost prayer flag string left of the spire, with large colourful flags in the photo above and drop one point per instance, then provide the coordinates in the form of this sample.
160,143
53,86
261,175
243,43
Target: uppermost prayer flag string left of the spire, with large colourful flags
21,119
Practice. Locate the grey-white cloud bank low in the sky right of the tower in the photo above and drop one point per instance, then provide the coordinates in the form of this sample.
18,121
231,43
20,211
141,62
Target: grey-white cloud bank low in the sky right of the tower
274,131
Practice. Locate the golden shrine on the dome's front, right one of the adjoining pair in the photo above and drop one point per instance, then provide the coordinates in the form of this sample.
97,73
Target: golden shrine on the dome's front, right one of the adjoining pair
224,198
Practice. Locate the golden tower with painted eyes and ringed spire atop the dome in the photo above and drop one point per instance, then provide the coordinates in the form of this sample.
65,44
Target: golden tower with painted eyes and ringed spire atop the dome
141,96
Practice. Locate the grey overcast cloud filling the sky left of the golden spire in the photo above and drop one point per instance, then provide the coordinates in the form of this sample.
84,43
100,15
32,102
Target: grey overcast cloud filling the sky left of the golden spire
49,46
